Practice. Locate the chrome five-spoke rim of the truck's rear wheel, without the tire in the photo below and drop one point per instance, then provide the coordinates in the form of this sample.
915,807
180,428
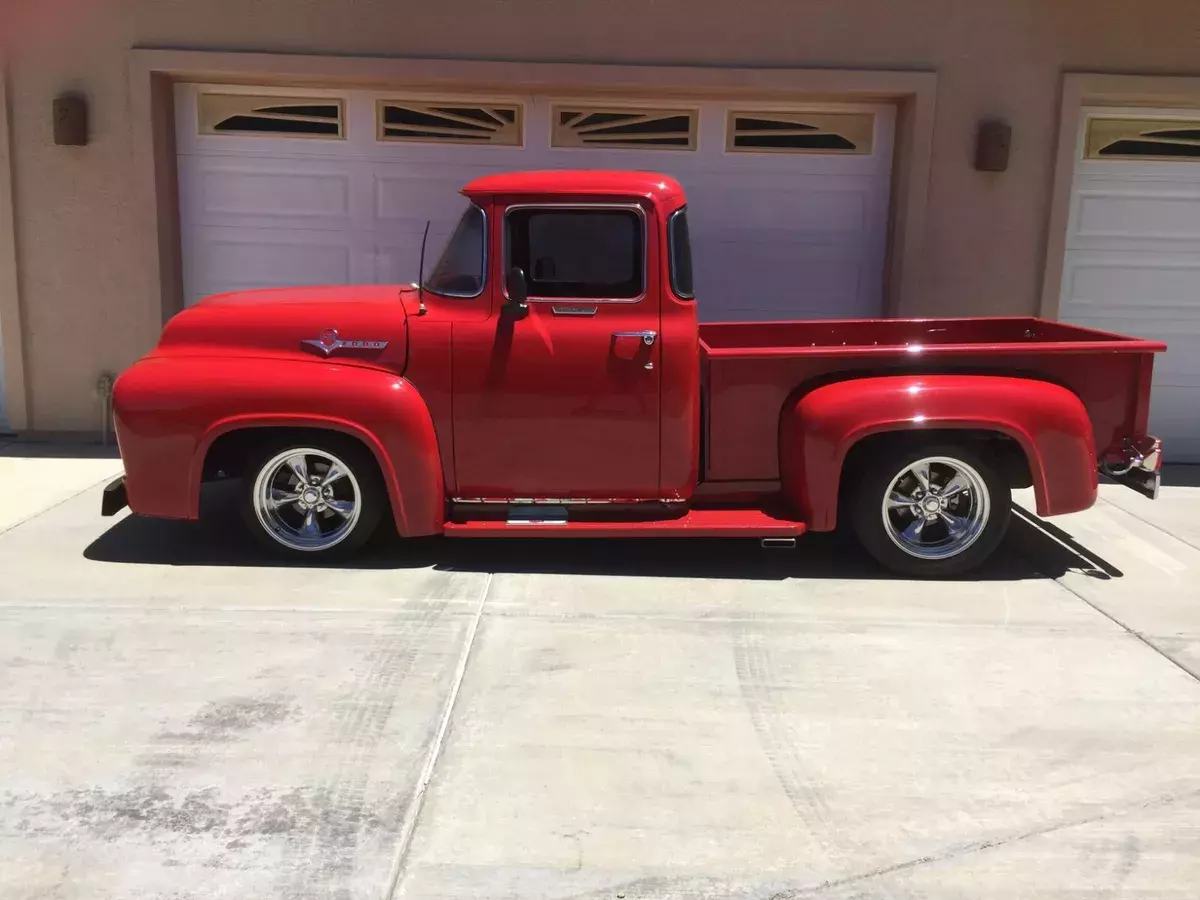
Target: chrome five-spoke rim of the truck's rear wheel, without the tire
937,508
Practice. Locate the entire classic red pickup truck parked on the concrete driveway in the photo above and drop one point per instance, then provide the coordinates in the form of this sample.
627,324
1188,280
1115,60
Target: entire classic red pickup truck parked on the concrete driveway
551,379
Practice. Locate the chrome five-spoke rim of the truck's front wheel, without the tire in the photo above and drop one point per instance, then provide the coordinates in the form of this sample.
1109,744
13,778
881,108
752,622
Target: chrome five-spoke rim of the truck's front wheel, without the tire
308,500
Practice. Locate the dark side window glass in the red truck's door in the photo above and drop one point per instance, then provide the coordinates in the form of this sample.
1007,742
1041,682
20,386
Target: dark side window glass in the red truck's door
586,254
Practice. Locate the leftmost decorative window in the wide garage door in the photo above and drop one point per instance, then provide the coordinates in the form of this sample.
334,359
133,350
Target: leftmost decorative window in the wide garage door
272,117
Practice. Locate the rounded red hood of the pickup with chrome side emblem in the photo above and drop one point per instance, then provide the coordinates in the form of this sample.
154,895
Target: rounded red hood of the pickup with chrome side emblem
362,325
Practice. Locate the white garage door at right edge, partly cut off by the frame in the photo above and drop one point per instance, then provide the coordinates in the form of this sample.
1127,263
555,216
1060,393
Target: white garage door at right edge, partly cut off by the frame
1133,253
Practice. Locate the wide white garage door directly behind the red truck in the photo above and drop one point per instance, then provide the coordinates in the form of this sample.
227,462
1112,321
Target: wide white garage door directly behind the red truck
789,207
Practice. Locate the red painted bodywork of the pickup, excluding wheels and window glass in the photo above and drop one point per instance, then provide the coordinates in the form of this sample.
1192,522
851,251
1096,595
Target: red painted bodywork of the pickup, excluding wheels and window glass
470,401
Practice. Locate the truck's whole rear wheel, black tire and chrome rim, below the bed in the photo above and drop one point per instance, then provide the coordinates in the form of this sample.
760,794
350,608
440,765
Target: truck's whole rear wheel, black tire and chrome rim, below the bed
933,512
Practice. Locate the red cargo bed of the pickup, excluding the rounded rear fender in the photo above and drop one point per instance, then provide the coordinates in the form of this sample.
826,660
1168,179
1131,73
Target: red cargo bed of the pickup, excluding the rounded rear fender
755,367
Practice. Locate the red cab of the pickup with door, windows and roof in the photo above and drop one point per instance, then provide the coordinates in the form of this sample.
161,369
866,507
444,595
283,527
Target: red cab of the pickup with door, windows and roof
574,356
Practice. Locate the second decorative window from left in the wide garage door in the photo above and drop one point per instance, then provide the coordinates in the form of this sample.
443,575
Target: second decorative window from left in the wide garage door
449,123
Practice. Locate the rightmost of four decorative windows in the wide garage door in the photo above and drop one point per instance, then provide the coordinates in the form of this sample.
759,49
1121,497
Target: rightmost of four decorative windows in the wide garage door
800,133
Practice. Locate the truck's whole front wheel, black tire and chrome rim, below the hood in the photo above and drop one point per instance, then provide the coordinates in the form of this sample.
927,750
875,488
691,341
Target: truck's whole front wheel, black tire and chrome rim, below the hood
314,500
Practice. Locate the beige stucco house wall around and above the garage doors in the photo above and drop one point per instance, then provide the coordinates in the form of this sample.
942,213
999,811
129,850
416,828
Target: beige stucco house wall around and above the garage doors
86,256
